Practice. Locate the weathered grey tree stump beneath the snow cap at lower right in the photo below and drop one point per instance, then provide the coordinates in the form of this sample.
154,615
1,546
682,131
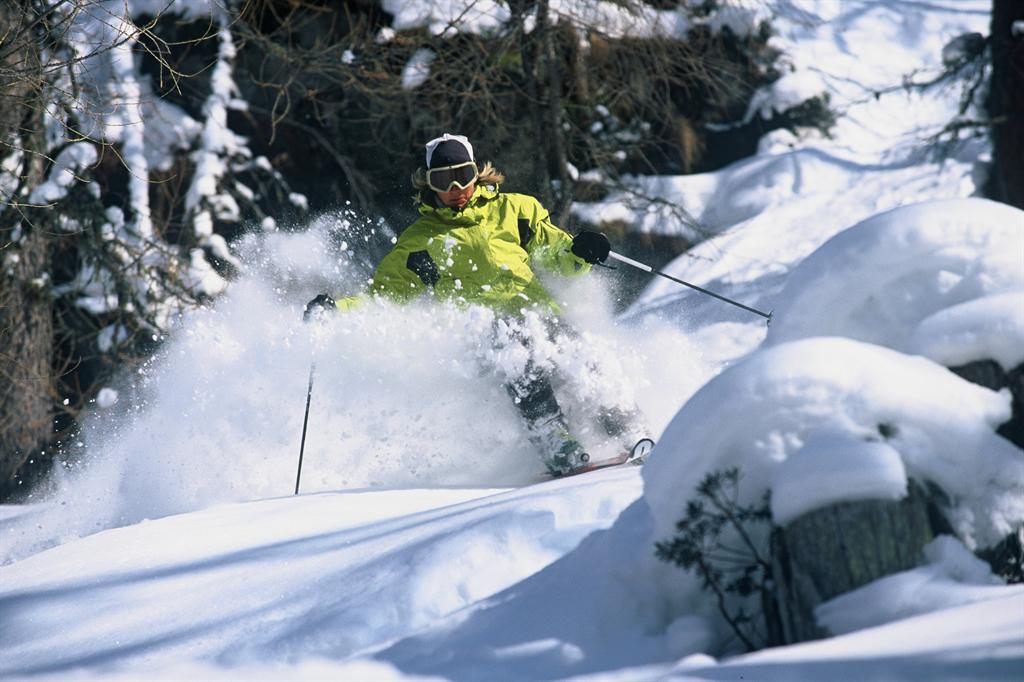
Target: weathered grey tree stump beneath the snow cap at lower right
828,552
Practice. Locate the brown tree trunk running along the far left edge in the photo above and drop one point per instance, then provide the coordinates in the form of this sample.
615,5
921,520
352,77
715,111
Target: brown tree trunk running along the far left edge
26,323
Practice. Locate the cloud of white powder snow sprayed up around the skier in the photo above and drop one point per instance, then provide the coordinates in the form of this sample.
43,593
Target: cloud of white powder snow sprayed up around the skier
403,401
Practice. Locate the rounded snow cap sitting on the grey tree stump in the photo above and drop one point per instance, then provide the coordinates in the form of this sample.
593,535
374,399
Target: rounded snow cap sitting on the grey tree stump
785,399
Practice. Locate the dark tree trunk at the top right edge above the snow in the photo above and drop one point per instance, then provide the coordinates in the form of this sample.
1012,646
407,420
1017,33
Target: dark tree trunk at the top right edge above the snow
1006,104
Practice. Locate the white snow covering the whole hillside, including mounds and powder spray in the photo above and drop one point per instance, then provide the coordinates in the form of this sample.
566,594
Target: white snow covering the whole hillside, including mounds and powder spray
422,545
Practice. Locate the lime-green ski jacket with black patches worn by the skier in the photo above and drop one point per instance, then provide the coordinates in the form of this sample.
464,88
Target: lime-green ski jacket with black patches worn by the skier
484,254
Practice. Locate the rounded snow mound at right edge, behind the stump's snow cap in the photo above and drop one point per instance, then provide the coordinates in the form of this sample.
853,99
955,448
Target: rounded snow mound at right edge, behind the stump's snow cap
880,280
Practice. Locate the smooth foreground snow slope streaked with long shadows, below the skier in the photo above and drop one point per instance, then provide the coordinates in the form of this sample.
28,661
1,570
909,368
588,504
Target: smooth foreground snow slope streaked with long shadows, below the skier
288,579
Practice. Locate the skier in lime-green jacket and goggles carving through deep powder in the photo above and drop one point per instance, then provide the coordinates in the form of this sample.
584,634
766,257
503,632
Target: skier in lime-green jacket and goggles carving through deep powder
476,244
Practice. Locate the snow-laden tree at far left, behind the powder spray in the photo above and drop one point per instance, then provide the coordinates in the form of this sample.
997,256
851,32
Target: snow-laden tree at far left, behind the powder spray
89,279
